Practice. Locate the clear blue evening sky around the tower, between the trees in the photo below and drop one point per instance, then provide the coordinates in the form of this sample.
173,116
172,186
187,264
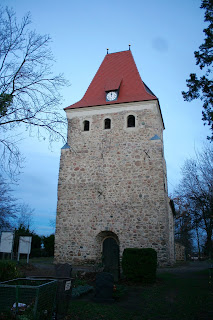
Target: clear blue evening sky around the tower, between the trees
163,36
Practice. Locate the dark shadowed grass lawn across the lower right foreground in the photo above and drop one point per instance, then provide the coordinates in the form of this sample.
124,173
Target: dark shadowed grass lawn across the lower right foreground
184,296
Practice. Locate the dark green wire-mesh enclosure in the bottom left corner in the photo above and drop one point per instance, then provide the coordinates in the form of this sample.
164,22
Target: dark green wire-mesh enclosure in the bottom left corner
28,299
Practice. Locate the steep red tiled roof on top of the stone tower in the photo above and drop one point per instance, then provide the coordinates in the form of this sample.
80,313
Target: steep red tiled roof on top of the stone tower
117,70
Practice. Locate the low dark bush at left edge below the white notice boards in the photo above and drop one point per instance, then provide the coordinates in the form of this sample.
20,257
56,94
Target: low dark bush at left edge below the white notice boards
8,270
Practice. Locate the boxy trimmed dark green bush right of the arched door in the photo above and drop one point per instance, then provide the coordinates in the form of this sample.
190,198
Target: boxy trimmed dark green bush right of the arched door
140,264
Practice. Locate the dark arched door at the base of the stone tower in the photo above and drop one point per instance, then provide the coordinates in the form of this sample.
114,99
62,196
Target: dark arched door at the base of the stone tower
110,257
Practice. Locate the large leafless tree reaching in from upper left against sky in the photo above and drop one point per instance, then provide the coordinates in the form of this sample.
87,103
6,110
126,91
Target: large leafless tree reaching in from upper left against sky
29,92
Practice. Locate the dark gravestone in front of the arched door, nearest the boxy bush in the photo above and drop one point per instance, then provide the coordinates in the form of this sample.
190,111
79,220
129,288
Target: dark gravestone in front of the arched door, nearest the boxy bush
104,287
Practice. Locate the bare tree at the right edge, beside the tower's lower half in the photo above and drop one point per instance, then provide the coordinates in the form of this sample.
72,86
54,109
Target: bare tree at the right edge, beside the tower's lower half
196,190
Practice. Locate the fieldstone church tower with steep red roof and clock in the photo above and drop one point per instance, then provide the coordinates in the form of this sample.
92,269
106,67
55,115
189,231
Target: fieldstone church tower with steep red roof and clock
112,188
